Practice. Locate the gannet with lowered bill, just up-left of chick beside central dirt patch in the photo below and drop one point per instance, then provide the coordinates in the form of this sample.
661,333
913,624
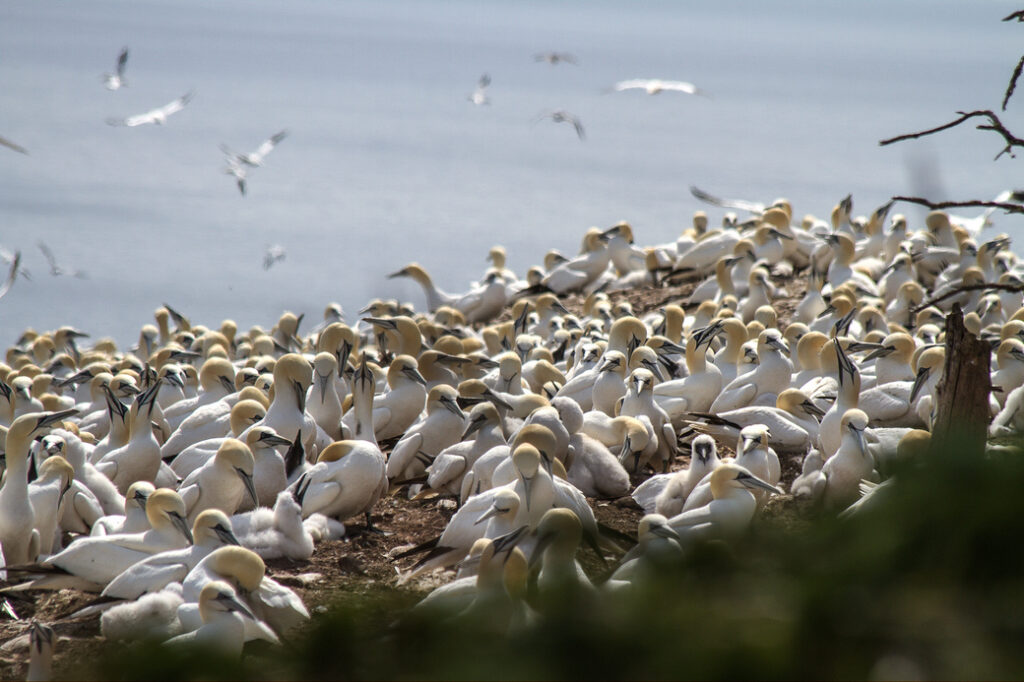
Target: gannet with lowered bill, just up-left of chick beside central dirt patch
222,483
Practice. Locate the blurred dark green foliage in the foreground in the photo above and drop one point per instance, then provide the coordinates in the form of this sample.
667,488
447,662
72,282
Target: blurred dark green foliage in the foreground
928,582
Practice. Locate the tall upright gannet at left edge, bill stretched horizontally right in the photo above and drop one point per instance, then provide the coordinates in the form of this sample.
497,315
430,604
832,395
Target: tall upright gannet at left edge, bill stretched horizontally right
20,542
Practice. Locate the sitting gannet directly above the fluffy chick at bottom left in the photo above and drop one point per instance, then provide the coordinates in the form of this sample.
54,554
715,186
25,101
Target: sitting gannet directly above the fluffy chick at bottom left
211,530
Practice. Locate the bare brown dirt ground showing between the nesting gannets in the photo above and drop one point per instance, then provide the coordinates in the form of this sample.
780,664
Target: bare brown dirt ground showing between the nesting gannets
361,566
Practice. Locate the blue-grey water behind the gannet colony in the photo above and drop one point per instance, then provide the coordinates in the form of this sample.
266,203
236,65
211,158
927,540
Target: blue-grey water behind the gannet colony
388,162
